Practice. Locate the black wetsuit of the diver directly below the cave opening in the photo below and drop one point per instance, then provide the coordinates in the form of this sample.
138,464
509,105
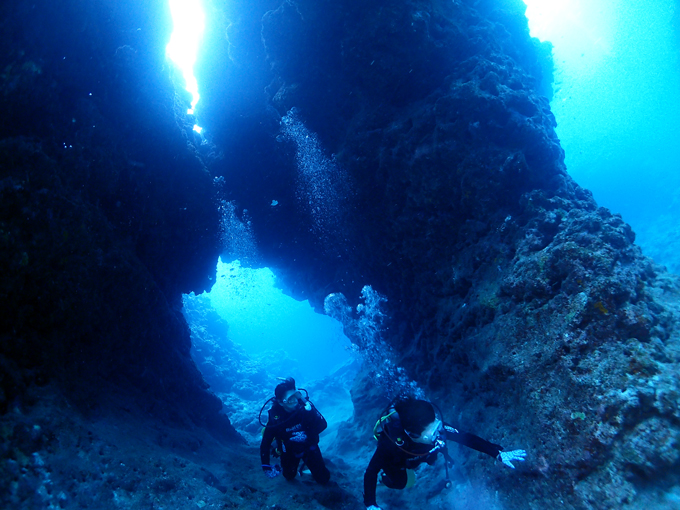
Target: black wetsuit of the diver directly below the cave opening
297,433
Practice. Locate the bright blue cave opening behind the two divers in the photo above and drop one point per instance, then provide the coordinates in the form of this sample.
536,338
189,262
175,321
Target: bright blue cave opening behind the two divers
247,334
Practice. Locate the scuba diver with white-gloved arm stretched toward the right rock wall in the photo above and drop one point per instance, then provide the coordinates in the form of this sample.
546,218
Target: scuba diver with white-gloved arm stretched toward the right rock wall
412,434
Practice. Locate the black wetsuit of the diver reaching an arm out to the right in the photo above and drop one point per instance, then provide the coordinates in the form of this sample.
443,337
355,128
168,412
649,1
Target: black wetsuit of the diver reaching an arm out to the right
394,460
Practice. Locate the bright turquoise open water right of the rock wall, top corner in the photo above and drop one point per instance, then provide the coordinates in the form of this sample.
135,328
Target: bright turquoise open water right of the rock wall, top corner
617,105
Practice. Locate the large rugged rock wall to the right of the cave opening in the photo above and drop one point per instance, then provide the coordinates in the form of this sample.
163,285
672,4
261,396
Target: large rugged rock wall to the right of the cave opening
521,306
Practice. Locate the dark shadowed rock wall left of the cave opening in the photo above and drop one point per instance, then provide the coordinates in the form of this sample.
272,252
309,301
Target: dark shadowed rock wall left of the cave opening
107,214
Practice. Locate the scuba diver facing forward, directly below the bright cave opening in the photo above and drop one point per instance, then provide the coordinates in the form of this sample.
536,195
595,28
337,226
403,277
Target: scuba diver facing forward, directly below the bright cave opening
295,424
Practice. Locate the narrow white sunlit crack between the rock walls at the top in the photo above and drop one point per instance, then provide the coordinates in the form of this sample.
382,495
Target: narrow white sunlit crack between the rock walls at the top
188,23
